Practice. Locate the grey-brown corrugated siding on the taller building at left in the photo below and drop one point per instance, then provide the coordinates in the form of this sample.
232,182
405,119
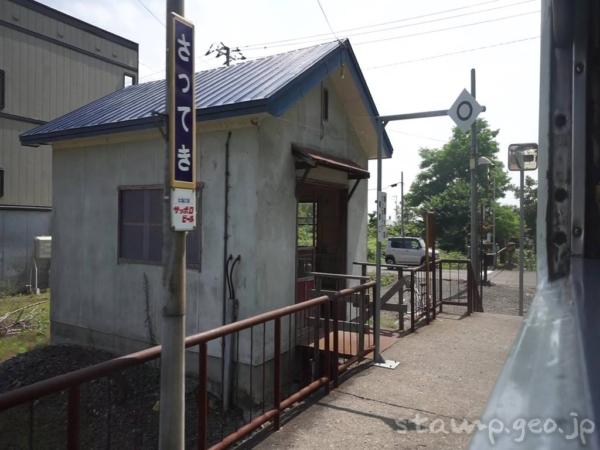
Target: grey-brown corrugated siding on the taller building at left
43,81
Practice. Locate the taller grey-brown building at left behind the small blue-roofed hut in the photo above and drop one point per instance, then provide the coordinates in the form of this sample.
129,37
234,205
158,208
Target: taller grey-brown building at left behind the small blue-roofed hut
50,64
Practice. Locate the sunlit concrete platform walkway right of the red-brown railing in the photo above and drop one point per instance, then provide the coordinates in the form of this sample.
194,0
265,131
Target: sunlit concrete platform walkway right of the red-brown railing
447,371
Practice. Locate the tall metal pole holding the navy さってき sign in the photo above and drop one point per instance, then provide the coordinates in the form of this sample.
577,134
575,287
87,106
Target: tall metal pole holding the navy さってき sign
172,368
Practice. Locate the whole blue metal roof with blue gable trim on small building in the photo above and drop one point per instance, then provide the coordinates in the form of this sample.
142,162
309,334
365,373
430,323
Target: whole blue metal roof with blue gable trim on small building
270,84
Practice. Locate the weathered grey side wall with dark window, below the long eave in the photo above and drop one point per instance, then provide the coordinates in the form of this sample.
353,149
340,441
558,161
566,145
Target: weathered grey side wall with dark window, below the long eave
118,302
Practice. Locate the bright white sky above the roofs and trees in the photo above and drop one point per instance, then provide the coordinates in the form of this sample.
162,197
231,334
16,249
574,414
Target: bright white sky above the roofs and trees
415,56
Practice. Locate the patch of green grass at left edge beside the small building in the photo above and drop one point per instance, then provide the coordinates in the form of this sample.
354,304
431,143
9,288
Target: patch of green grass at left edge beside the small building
35,321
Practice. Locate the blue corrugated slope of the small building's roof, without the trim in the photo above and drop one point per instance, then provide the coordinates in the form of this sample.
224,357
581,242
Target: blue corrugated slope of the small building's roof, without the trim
244,83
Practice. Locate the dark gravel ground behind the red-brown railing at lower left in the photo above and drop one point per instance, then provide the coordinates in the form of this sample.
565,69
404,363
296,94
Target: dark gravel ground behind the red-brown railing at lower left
116,412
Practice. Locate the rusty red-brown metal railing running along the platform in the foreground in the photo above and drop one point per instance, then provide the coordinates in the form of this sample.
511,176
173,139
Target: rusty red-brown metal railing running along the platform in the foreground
312,326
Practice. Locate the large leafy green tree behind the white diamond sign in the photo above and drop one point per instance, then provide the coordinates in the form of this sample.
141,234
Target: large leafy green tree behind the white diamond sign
443,186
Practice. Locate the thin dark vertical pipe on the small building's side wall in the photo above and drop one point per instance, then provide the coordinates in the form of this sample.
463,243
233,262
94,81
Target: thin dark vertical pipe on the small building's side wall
226,341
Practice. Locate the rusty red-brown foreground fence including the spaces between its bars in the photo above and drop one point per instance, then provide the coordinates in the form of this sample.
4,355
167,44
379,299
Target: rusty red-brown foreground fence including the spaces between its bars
281,357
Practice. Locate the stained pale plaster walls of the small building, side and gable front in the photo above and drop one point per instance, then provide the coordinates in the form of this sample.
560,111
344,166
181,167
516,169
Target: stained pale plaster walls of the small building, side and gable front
101,302
